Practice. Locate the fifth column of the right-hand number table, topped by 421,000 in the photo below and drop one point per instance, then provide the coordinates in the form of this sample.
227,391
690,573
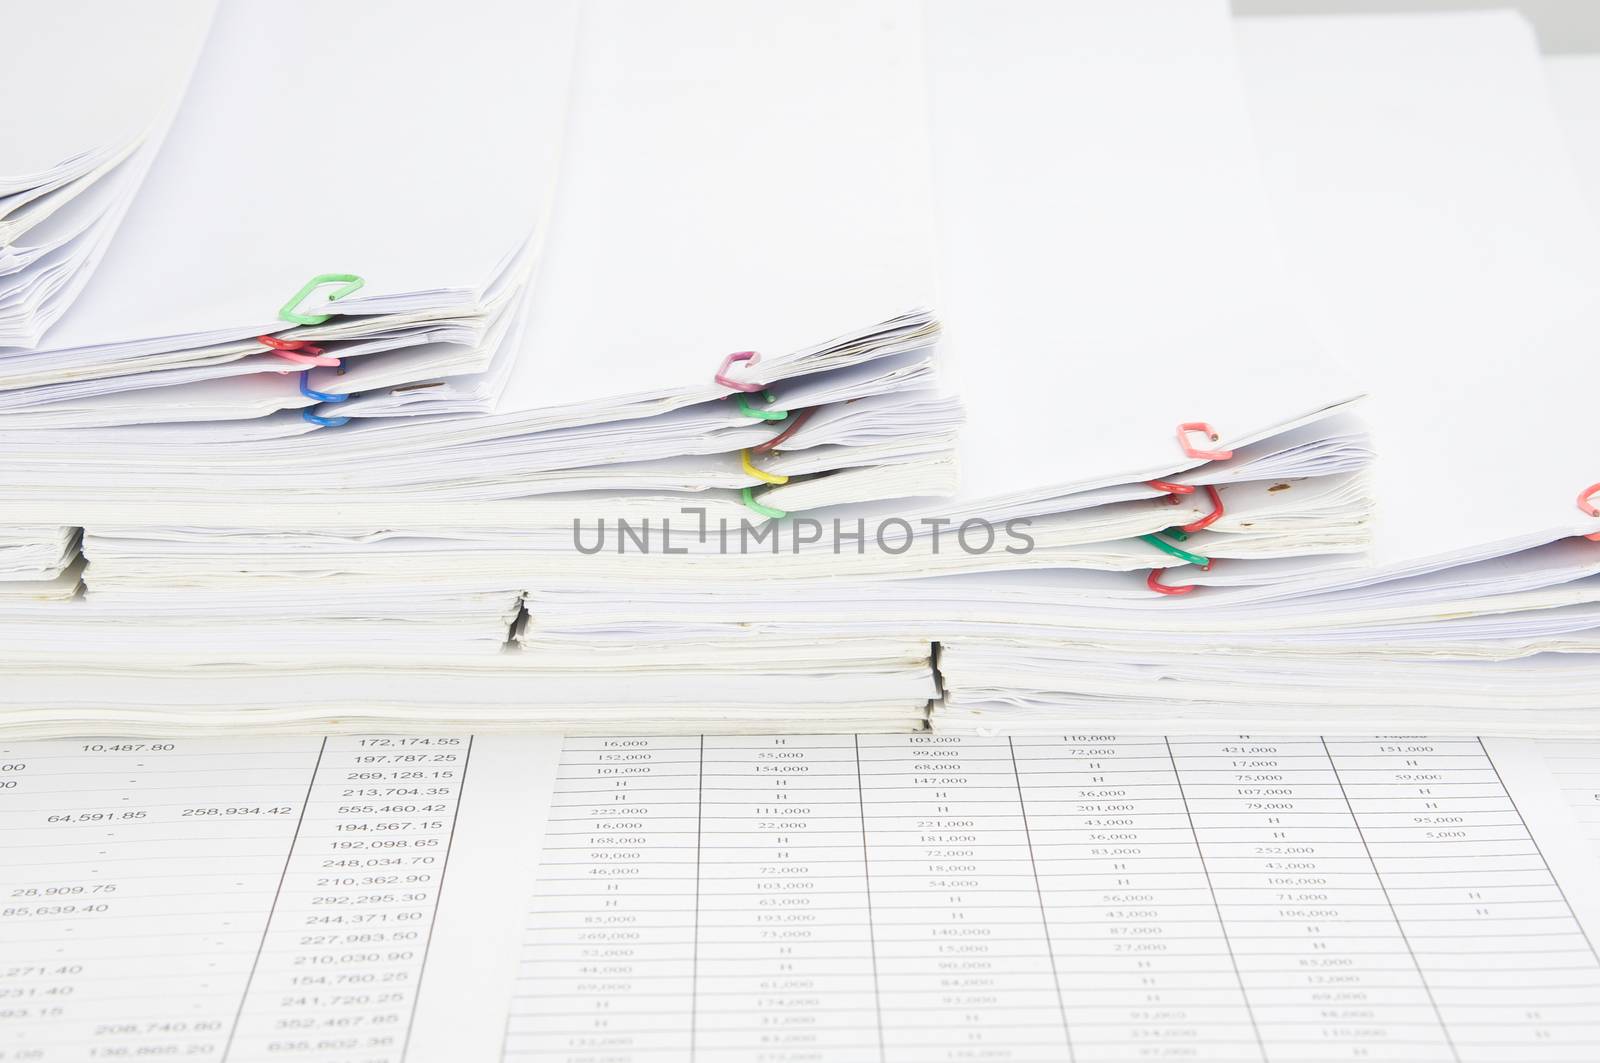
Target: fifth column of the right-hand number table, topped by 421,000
1321,953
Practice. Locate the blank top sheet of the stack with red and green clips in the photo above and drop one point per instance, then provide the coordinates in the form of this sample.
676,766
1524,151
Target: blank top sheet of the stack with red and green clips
1108,262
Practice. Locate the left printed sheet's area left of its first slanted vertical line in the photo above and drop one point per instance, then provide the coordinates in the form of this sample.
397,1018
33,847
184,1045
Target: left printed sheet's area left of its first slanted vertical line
138,878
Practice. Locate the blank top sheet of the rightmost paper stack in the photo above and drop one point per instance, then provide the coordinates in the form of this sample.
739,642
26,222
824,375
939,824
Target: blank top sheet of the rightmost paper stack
1447,257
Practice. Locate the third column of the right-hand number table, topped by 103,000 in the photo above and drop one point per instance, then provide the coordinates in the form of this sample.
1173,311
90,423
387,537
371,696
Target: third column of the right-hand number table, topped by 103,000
964,963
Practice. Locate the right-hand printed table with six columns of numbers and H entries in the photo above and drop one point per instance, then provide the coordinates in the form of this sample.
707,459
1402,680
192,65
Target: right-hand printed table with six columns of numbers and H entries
1084,897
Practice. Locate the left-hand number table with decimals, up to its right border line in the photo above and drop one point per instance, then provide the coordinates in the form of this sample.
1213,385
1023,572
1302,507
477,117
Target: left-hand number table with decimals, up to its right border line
218,901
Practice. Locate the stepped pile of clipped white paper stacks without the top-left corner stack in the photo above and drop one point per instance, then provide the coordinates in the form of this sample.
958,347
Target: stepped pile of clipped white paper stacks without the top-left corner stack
617,425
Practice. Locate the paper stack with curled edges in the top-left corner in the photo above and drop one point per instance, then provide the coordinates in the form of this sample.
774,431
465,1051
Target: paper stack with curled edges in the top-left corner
90,92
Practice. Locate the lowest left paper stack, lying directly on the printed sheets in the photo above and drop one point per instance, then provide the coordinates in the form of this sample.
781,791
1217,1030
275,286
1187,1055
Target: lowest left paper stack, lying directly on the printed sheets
881,686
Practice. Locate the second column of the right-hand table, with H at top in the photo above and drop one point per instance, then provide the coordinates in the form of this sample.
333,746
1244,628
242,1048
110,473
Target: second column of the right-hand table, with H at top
785,947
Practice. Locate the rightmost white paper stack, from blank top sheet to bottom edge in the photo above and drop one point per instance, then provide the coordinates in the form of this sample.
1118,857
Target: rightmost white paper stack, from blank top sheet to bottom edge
1458,279
